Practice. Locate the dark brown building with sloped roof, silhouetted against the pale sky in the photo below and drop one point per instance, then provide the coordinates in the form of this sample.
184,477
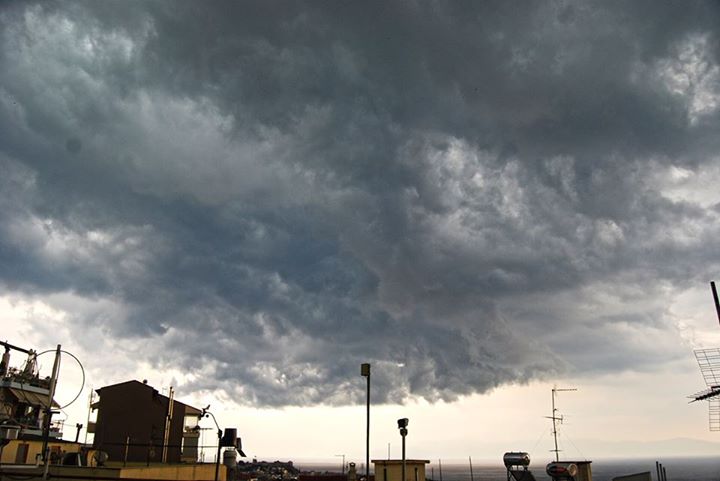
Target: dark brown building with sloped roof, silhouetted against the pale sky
136,423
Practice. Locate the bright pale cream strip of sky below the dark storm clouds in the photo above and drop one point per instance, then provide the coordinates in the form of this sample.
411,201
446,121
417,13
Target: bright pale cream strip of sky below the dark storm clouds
613,416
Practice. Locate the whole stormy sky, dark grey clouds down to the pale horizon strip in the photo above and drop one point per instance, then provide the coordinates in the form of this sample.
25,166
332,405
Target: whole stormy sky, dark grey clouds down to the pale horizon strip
248,200
